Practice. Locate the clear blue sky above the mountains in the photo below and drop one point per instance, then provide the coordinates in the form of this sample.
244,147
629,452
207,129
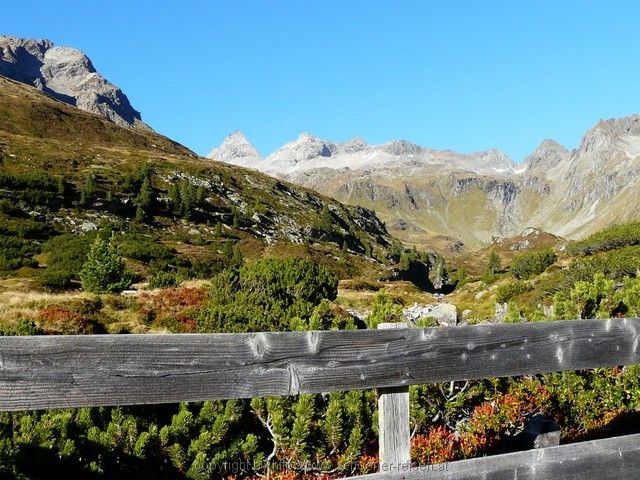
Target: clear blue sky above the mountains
464,75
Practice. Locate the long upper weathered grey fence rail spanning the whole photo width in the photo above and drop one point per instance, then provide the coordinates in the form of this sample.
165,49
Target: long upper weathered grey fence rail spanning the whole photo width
92,370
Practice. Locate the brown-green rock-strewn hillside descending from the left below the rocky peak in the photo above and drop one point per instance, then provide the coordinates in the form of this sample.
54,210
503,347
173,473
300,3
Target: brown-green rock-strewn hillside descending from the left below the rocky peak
72,171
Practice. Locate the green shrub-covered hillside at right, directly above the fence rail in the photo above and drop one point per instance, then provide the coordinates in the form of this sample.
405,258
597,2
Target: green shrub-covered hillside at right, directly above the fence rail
580,272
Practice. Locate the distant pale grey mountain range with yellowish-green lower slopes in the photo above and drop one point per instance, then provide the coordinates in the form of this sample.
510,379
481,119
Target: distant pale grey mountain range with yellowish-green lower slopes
441,198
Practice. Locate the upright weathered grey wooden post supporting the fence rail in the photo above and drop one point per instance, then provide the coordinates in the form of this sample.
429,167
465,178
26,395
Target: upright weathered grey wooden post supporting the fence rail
393,423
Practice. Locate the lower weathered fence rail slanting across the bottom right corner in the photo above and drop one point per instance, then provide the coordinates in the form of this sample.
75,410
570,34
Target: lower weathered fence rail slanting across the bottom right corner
615,458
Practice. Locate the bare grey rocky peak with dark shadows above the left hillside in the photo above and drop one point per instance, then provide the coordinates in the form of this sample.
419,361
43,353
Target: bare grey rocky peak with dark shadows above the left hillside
67,75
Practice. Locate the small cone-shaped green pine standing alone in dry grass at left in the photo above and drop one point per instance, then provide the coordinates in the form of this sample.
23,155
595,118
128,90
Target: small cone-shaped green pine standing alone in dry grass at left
104,270
